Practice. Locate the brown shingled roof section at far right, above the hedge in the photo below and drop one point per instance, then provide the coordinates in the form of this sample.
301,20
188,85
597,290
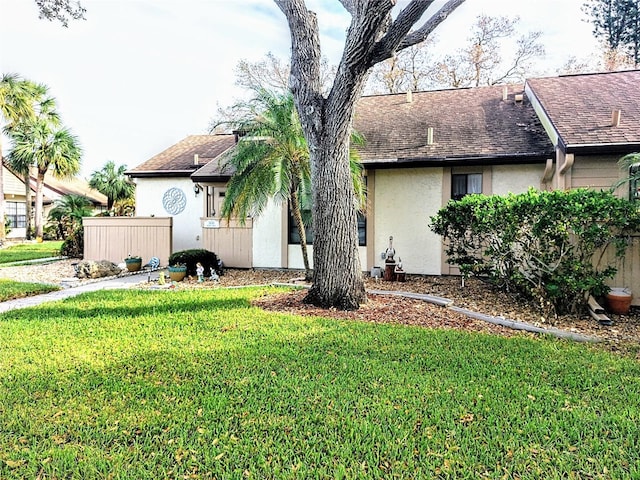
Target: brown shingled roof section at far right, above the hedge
580,108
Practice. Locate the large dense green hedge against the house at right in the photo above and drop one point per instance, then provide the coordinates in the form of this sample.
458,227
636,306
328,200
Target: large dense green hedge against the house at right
547,245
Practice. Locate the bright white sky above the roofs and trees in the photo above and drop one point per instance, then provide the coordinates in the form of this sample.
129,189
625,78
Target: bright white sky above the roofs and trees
137,76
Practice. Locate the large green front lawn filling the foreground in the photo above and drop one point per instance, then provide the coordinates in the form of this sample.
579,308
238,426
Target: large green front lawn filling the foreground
198,384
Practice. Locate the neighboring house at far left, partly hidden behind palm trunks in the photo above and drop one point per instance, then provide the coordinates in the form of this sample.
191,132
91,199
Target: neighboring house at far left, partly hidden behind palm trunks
53,189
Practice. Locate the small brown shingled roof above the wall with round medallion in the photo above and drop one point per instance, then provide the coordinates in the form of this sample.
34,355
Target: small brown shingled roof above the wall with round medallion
179,160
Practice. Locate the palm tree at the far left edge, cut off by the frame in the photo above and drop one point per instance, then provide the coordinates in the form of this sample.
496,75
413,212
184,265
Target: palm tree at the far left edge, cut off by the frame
16,104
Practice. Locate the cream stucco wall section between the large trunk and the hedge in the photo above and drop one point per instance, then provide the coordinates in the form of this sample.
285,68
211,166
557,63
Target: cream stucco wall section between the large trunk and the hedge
404,202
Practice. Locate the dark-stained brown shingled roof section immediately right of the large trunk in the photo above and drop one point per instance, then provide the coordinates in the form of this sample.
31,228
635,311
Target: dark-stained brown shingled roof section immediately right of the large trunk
470,126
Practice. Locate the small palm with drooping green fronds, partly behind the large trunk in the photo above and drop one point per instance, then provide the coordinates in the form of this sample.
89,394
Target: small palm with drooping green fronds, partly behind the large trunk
271,161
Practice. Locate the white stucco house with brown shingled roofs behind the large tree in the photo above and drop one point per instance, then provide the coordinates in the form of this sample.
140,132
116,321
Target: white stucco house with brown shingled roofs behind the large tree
422,149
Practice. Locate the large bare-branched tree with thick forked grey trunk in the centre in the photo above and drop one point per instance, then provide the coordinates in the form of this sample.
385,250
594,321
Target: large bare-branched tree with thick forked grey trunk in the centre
373,36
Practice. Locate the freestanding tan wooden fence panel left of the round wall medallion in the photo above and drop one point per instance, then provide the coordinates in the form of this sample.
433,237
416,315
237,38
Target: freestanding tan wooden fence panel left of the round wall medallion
114,238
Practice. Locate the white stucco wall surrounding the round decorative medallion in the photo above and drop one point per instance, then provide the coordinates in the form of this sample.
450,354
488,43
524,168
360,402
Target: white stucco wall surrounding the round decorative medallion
186,224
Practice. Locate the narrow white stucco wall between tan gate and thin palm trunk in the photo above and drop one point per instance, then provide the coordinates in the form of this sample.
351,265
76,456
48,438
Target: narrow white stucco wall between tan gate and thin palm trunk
268,238
